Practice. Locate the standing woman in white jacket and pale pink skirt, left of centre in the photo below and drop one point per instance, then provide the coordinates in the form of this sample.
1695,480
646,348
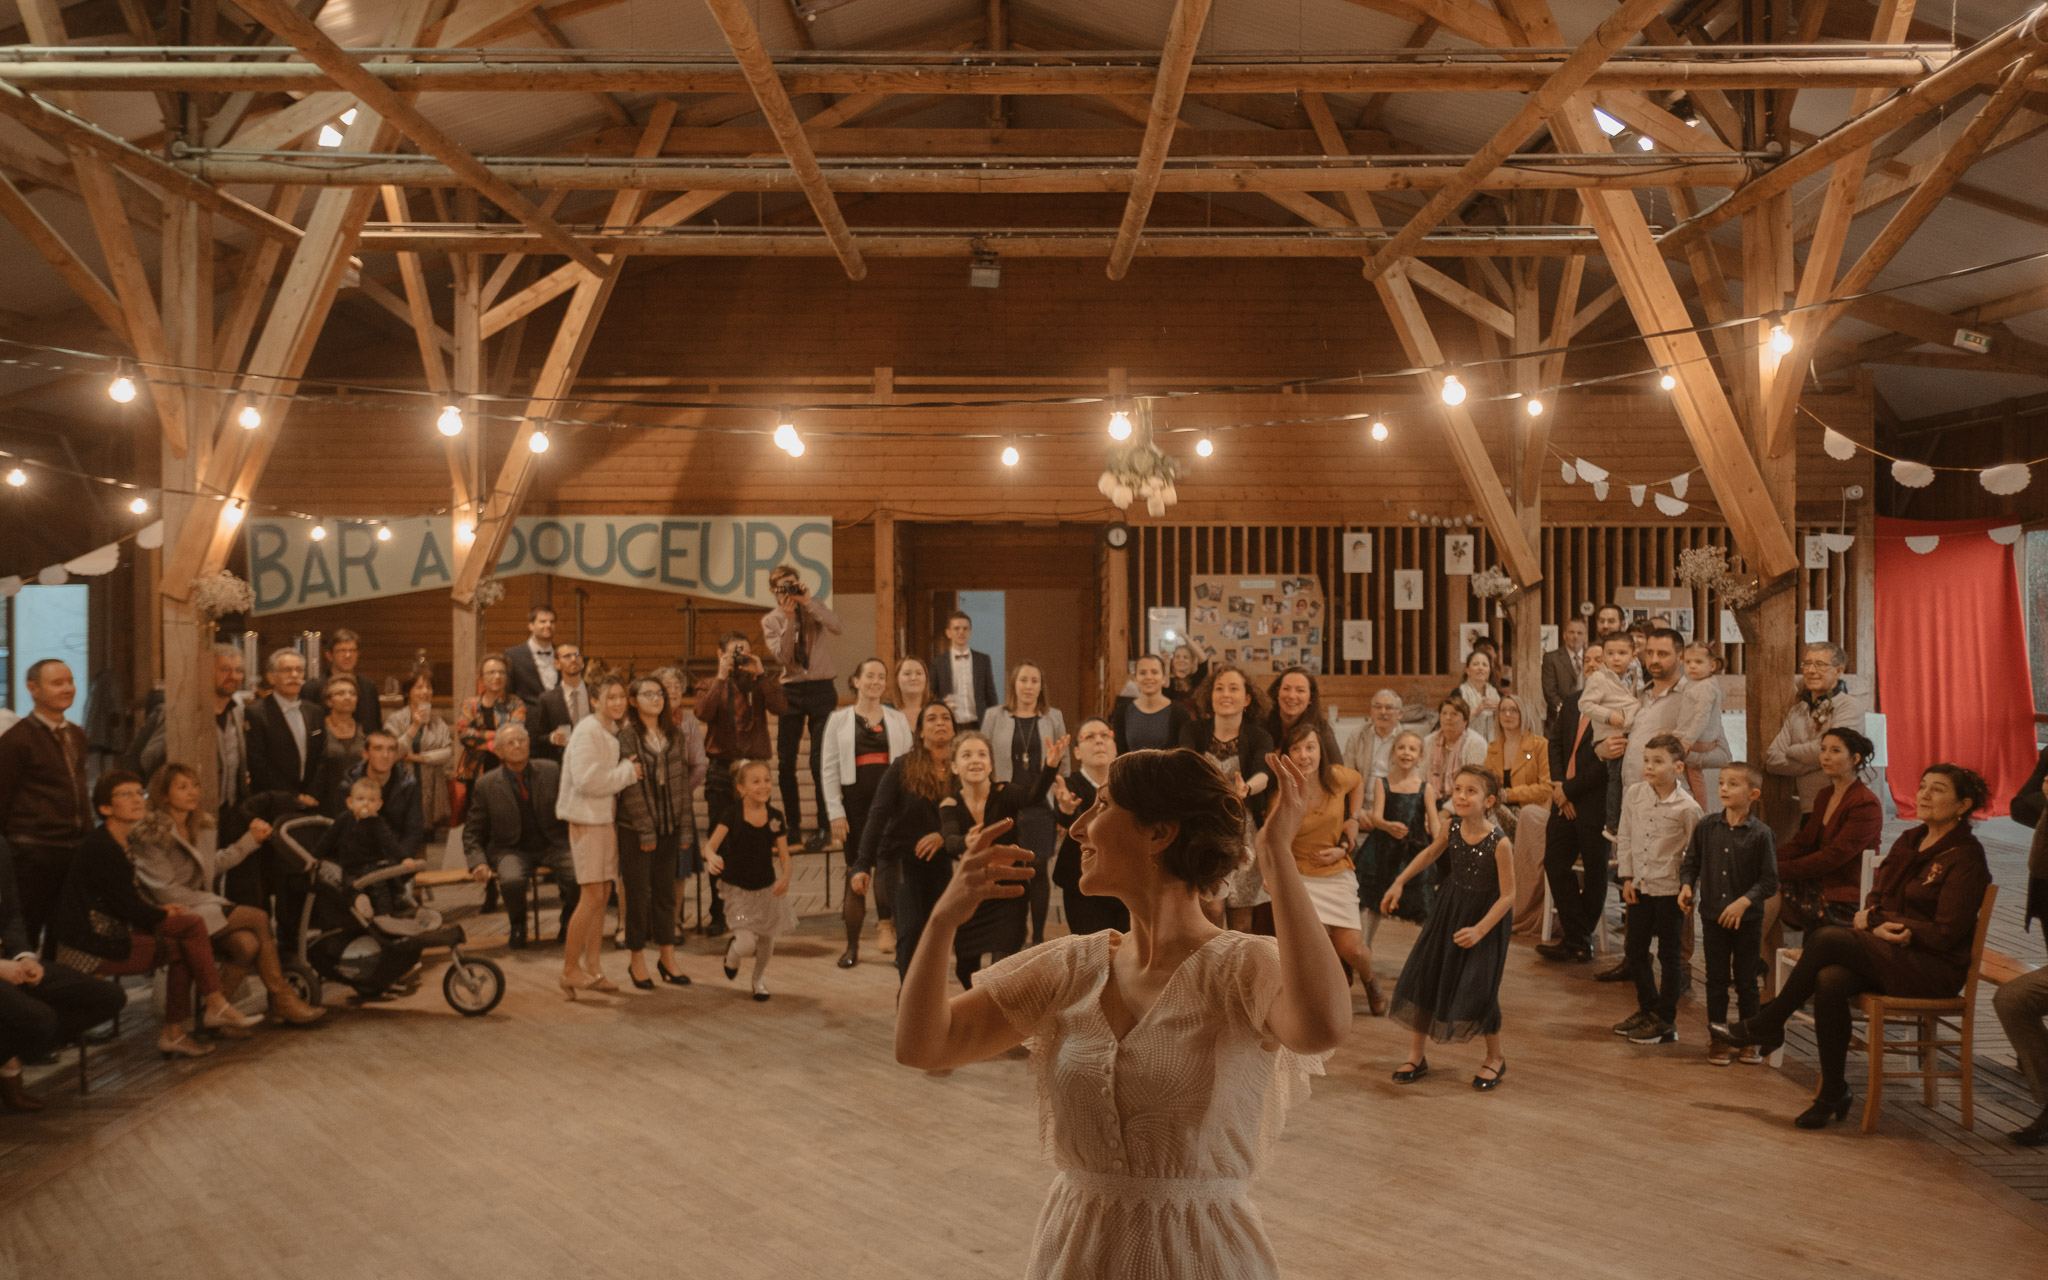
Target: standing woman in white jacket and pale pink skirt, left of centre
593,775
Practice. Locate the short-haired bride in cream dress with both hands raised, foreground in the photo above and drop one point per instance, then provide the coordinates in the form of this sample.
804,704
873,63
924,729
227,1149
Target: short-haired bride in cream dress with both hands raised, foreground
1166,1058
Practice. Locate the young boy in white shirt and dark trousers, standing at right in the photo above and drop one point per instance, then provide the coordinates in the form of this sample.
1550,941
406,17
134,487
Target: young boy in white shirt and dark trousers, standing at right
1658,820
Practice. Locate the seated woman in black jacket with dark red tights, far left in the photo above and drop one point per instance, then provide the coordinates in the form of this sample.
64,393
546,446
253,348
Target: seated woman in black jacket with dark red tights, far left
108,929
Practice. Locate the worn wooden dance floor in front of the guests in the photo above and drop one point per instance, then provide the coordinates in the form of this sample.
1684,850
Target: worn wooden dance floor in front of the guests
701,1134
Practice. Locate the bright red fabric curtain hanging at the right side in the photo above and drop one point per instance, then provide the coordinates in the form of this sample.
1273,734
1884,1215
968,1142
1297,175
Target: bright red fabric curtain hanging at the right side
1953,658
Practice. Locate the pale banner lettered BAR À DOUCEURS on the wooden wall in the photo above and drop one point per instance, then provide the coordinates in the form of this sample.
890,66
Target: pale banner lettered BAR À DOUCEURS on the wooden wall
726,558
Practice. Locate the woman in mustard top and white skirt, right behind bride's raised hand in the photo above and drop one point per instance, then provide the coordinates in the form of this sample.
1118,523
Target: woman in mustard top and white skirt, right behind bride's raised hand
1336,800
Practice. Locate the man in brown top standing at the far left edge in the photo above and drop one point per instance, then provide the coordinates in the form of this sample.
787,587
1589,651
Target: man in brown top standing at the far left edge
46,810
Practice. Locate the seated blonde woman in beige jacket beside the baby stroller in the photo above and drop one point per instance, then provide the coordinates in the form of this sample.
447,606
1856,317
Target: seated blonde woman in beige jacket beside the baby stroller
177,859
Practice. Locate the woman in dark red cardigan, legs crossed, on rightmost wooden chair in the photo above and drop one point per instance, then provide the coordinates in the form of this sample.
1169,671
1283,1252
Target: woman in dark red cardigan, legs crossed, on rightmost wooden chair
1912,939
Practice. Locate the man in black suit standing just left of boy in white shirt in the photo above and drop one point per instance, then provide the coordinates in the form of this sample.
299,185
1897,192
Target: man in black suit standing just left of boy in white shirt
1578,810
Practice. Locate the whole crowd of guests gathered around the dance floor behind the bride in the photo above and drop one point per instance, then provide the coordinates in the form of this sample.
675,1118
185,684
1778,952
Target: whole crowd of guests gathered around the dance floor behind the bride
1455,816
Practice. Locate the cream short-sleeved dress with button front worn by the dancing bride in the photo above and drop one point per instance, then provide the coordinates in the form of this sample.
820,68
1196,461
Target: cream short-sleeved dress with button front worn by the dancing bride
1156,1136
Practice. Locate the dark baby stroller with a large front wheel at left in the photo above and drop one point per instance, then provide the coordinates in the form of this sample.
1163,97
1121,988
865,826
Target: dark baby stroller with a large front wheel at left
378,957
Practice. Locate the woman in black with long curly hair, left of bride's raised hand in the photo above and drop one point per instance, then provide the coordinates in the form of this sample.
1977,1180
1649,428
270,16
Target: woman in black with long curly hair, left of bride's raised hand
902,833
